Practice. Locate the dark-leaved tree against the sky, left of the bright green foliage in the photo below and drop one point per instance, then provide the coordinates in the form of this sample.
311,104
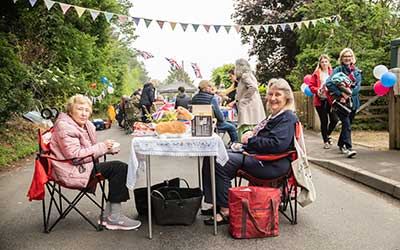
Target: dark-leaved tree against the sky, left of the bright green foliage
275,51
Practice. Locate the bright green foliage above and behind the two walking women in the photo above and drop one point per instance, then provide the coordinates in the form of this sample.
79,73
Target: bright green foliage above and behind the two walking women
365,26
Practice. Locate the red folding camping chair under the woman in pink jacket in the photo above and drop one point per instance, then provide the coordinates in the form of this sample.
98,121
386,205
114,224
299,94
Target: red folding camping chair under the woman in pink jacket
42,178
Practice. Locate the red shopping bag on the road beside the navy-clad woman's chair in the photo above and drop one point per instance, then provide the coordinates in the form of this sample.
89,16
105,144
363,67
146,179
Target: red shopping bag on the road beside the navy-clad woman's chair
253,212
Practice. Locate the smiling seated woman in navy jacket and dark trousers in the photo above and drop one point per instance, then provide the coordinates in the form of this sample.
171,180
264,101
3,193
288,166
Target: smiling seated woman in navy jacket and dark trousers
273,135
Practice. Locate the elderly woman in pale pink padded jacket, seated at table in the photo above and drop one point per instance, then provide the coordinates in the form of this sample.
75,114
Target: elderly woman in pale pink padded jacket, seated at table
74,137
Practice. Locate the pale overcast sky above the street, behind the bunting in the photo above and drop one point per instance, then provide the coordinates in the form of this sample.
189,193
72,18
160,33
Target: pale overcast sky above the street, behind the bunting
208,50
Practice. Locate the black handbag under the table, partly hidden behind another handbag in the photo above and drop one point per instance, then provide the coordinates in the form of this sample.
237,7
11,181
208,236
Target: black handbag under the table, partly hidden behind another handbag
141,194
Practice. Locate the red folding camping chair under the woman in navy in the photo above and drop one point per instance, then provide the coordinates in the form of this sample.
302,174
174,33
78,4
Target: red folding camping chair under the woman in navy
287,183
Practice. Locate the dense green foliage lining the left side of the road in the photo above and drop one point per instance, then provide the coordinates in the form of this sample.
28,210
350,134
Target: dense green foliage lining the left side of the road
47,56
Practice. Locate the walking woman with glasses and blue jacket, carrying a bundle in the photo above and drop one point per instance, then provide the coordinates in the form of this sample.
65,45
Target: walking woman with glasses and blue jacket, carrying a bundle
347,60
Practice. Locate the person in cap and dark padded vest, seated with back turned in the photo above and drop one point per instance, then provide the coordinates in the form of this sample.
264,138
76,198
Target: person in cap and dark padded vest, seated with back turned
205,96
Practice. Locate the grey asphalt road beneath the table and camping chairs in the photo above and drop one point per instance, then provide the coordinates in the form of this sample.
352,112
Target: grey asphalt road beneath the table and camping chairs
346,215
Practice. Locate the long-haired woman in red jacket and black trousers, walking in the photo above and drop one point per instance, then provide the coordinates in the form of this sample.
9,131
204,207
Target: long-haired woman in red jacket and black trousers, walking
327,117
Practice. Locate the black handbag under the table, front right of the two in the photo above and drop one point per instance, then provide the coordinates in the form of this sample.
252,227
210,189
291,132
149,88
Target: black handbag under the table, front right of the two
176,206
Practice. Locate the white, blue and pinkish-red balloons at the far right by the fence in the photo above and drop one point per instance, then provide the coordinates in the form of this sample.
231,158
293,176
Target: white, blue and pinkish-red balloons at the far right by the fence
386,80
